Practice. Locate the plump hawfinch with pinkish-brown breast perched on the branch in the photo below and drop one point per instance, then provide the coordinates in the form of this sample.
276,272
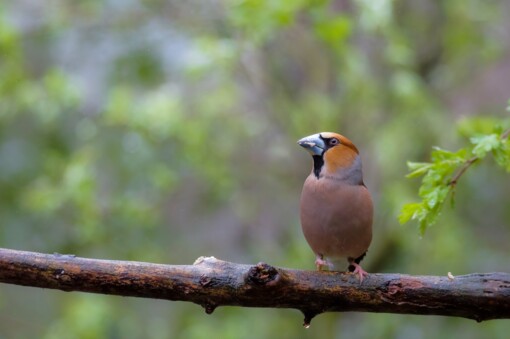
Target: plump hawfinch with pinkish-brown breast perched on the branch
336,208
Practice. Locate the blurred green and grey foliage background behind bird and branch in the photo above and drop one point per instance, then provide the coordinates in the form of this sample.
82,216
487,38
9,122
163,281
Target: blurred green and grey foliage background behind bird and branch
162,131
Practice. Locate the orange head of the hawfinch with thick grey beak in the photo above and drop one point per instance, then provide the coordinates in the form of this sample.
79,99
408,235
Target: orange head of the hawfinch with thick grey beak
333,154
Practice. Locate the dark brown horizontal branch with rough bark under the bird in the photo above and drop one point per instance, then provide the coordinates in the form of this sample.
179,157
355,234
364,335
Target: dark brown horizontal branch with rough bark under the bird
210,283
